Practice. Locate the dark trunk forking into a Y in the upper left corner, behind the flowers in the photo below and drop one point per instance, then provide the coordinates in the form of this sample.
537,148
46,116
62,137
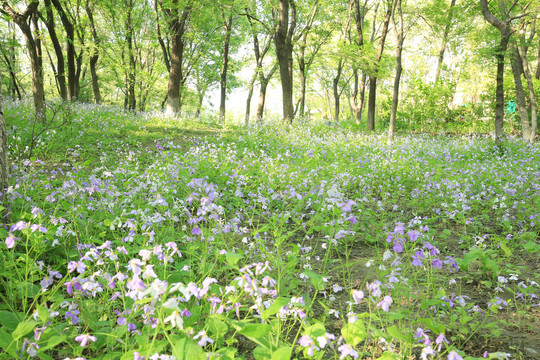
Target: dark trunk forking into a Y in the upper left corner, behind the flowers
36,65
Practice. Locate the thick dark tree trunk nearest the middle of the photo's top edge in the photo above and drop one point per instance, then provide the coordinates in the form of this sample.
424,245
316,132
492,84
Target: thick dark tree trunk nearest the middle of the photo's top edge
284,48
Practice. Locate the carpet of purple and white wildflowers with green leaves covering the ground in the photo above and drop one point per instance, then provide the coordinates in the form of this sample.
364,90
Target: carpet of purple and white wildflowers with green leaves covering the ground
139,236
